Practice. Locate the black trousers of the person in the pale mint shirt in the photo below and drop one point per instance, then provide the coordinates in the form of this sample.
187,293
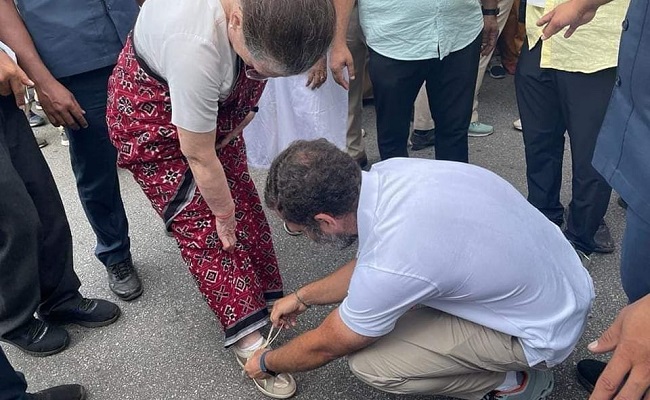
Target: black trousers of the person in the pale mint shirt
450,87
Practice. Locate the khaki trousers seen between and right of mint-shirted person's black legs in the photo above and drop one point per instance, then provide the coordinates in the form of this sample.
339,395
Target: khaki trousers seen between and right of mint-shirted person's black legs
422,116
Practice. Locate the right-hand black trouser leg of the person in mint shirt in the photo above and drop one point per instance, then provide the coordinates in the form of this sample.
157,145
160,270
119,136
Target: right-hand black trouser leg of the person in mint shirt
450,87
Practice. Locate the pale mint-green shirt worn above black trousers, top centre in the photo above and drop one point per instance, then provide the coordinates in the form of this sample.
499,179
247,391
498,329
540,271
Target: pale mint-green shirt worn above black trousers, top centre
419,29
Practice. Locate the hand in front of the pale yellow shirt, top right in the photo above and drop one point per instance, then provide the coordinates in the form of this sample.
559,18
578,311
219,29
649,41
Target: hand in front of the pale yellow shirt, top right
572,13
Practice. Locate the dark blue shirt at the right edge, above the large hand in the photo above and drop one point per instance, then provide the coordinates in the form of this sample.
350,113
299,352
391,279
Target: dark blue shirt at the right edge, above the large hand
622,152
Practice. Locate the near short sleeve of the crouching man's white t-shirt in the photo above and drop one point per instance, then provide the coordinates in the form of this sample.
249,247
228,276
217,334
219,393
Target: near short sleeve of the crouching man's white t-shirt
377,299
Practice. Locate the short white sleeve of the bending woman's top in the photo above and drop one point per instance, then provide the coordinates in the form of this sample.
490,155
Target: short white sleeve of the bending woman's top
191,67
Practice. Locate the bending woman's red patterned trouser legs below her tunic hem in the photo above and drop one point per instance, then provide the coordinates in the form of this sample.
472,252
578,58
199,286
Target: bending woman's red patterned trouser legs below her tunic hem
236,285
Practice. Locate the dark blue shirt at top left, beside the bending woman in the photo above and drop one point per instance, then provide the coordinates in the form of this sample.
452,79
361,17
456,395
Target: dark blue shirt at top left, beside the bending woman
74,36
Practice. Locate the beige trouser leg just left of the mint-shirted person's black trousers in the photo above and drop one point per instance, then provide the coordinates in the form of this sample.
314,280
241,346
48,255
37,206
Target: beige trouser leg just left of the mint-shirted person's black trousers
357,46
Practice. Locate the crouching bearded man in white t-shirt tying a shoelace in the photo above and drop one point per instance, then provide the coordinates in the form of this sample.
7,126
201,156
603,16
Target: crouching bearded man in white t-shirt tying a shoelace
460,287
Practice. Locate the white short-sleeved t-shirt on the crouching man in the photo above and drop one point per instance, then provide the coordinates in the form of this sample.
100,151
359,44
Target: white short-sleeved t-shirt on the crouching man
460,239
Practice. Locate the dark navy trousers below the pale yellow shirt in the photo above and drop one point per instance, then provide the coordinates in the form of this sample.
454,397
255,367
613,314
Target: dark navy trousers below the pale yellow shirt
552,102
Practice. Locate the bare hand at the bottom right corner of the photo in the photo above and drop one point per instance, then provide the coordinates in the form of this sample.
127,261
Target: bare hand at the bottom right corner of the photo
629,337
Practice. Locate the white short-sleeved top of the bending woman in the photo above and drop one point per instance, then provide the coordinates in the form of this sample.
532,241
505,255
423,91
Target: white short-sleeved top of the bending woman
186,43
